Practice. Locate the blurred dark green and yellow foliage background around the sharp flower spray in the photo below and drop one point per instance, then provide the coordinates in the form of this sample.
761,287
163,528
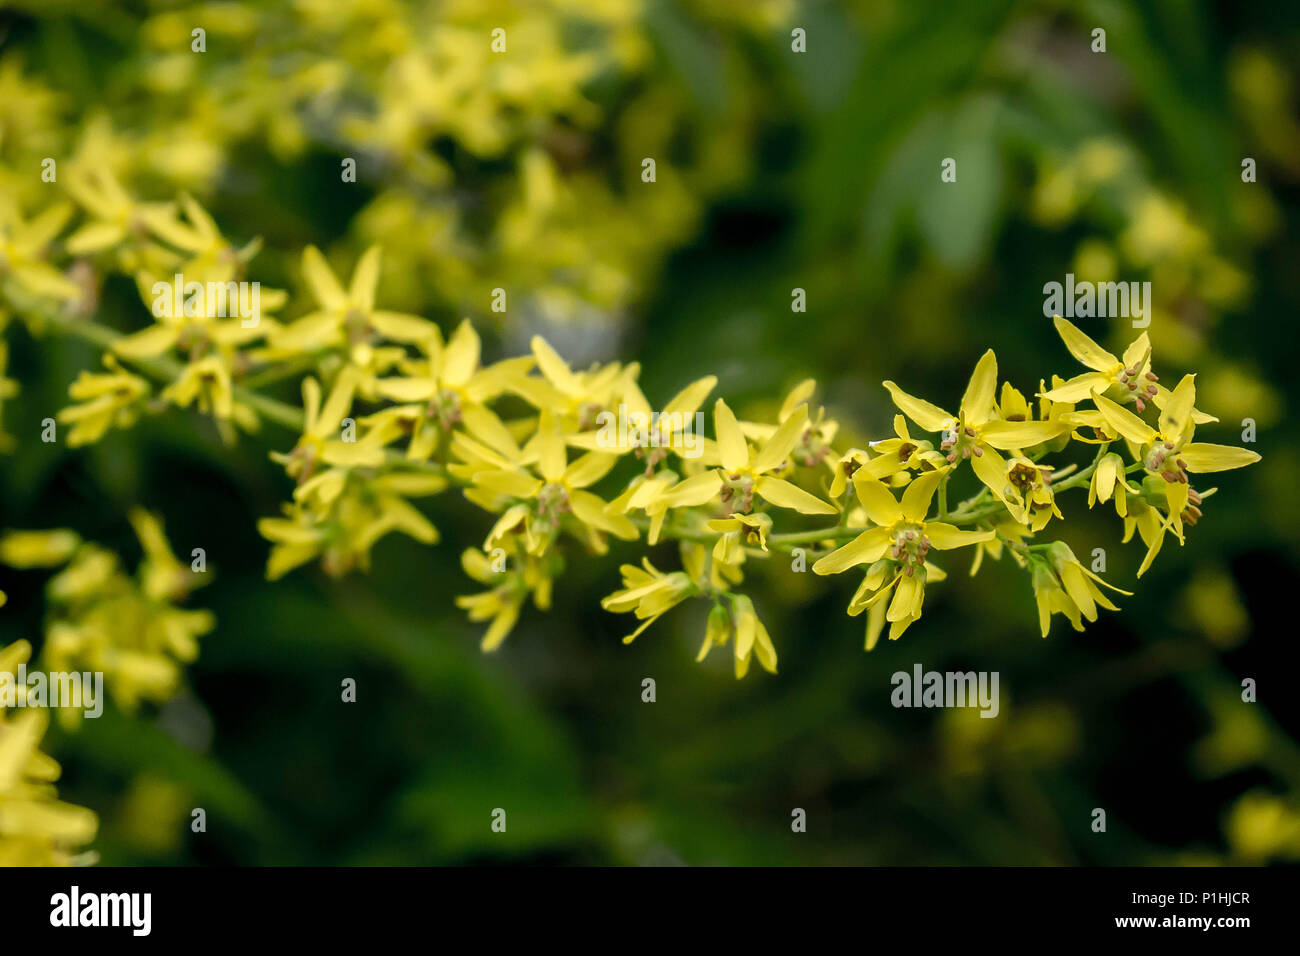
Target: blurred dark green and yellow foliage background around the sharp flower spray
775,171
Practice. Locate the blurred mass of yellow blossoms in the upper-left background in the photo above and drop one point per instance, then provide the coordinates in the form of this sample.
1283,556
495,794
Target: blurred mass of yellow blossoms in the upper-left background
435,106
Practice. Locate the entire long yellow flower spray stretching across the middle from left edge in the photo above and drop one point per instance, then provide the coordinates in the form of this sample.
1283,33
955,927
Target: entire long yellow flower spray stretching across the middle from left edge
393,412
